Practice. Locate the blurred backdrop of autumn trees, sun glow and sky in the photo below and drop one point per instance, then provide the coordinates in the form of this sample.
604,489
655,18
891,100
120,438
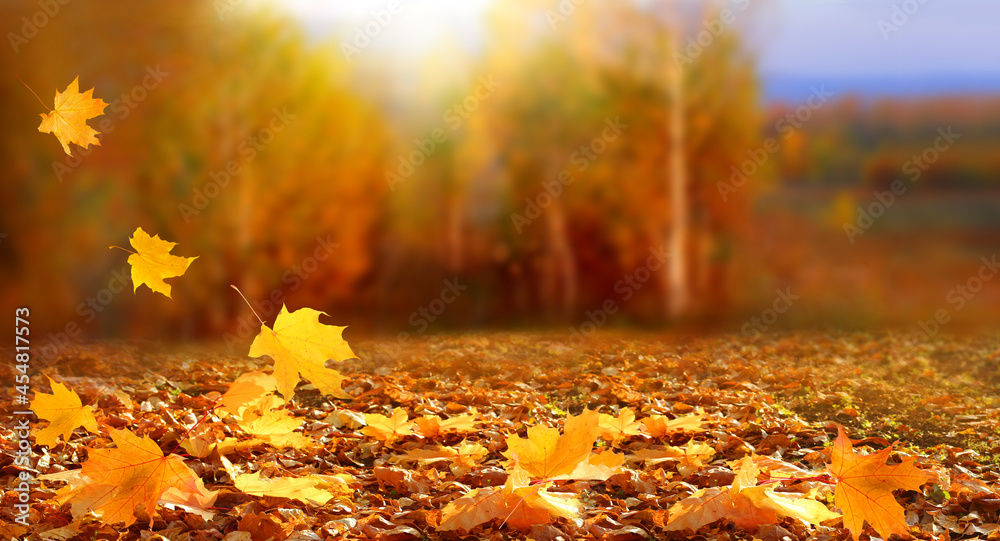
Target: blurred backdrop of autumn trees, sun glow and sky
412,166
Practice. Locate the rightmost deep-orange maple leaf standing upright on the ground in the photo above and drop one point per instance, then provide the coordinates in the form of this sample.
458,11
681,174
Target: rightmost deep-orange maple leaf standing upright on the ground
865,484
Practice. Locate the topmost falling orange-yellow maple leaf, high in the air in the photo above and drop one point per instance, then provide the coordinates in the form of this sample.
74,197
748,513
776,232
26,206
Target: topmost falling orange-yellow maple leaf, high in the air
68,119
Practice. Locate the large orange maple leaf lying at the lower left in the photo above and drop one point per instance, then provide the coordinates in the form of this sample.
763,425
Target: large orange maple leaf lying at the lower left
112,482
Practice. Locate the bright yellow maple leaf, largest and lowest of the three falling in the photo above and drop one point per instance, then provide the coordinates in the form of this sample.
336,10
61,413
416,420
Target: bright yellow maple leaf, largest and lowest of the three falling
300,346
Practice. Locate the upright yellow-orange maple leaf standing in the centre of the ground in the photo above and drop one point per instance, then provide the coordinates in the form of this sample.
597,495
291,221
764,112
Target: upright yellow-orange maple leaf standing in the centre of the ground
546,454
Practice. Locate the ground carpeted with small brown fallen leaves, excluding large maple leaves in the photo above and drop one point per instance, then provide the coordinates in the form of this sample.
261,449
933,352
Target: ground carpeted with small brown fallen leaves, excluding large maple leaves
779,396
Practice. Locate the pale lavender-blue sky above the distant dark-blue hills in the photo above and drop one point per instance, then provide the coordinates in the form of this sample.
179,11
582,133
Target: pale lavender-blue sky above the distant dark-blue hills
843,38
